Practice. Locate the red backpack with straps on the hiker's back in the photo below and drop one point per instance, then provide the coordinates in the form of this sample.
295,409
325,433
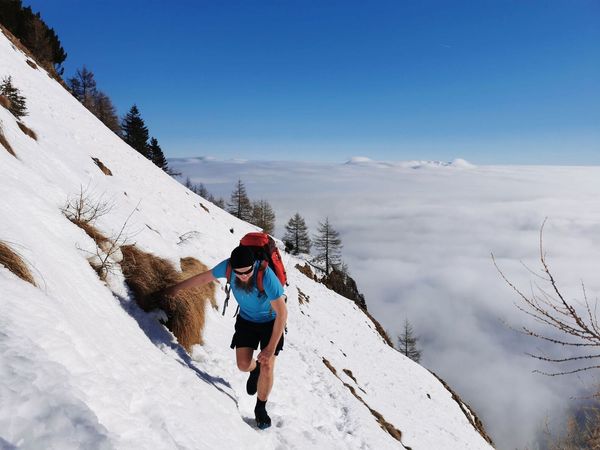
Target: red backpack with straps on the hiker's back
264,249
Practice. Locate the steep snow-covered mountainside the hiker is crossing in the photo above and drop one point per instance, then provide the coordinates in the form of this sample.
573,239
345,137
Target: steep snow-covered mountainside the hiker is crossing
82,366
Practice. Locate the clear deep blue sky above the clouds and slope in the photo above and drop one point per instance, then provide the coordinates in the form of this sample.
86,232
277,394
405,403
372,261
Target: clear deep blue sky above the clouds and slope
489,81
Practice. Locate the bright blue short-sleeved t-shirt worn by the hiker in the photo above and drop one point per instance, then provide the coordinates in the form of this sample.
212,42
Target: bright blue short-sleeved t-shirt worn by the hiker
254,306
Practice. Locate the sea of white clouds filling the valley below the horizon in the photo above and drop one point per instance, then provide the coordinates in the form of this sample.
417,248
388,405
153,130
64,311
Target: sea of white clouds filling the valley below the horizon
417,238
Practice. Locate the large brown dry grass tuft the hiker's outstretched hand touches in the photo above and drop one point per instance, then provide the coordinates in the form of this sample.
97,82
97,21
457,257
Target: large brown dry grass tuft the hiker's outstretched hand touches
147,275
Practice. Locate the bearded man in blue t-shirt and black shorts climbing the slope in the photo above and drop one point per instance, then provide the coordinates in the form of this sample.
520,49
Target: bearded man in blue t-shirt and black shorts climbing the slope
261,320
